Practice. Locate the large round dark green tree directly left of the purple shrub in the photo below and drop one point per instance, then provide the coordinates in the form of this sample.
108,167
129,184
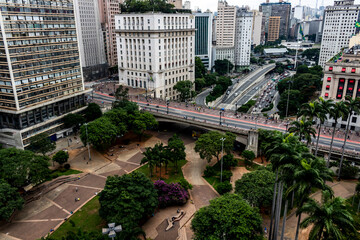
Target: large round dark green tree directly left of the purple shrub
127,200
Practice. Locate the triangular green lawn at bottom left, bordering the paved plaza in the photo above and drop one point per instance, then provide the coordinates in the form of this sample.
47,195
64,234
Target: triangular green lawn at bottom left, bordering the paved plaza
86,218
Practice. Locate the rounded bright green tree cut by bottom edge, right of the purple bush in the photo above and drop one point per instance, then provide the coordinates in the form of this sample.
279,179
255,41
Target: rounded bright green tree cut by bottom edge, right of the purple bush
227,217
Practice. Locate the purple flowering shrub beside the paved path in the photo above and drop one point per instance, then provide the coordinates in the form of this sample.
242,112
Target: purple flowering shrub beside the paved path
170,194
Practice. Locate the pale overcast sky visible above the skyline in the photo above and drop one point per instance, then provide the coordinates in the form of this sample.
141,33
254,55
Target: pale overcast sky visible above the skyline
254,4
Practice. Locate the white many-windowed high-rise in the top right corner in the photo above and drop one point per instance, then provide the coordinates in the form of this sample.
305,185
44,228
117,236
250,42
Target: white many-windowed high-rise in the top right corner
338,28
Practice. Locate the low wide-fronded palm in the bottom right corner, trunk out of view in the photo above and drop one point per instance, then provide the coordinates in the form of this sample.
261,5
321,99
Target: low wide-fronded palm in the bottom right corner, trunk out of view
330,218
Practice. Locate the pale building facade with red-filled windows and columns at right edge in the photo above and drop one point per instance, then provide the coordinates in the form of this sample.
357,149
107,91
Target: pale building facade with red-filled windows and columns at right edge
341,79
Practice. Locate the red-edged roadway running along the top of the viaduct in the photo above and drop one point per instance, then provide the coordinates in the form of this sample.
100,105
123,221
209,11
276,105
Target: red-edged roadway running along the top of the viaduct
228,121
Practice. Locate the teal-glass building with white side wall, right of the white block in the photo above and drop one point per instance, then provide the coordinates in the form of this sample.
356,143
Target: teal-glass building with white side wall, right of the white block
203,38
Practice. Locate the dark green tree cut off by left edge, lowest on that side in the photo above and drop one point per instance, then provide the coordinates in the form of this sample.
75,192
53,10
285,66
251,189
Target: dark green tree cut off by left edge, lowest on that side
10,200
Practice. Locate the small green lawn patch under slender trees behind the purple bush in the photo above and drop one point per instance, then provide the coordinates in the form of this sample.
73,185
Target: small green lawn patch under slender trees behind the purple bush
170,177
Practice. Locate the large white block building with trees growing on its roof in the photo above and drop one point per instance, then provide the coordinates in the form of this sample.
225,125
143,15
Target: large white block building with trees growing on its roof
156,50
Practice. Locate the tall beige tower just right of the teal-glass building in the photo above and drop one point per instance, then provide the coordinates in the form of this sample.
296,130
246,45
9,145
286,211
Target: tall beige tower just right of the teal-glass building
225,25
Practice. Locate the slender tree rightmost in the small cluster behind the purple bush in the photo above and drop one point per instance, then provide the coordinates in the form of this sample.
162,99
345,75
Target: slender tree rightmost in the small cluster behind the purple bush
176,150
